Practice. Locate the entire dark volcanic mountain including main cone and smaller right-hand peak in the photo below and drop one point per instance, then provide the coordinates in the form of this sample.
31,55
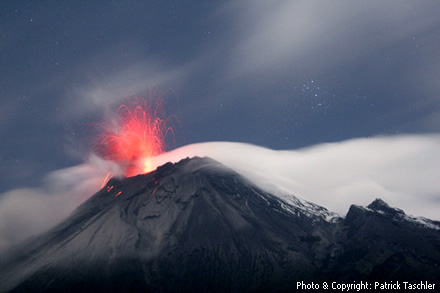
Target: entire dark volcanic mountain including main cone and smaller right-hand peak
199,226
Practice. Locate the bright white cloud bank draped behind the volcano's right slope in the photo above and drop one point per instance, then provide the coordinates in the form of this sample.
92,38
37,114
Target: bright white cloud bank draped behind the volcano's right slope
402,170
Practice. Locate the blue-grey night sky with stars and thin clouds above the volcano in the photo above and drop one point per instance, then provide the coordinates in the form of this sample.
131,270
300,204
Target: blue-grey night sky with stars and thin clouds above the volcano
279,74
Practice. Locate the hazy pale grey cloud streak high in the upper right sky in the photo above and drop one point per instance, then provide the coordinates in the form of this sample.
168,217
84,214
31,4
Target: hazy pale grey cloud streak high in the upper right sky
324,34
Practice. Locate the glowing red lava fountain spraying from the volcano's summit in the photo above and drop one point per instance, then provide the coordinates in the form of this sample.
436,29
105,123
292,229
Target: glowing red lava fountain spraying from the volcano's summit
138,135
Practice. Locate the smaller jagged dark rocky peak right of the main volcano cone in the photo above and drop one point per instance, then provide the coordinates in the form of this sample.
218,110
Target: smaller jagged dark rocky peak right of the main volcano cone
383,243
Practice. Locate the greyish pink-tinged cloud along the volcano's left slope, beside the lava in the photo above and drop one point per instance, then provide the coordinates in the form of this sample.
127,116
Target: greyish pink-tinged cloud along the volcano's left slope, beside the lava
29,211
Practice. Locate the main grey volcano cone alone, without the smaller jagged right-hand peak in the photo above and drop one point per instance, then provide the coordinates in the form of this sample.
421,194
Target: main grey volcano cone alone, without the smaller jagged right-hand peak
195,223
